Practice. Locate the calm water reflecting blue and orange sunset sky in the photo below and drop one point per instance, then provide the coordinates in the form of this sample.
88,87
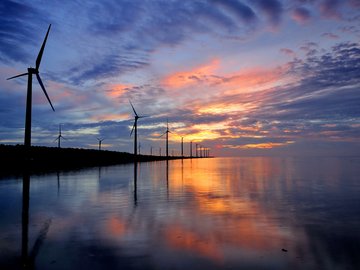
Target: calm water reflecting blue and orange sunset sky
220,213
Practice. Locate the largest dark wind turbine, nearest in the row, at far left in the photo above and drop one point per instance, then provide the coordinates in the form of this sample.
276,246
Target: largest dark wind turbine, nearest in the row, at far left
32,71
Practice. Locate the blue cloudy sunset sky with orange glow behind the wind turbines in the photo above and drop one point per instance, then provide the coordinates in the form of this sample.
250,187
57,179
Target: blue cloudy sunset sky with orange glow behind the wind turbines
241,77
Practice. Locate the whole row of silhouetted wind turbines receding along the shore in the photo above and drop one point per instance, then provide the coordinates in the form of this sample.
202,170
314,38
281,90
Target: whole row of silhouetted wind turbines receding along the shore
204,152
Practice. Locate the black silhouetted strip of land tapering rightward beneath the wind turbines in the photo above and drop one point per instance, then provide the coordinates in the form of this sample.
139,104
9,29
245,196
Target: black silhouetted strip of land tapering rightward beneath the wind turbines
17,158
